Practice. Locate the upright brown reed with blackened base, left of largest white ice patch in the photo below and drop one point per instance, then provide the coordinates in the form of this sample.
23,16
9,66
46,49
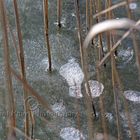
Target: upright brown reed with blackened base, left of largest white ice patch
46,28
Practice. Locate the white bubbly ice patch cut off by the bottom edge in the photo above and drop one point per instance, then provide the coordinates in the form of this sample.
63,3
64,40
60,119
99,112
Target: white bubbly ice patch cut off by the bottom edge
70,133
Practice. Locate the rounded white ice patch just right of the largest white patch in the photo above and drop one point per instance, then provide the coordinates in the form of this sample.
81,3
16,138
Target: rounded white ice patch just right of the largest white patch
96,88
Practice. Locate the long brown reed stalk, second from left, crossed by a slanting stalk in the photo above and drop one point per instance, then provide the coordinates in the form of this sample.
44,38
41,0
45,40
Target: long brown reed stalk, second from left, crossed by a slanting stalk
22,66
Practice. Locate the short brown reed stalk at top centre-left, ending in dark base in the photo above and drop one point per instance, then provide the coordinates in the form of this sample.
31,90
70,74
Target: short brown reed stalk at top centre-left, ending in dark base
59,12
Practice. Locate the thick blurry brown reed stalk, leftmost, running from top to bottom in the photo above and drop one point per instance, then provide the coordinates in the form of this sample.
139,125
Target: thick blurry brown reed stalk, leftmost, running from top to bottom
11,120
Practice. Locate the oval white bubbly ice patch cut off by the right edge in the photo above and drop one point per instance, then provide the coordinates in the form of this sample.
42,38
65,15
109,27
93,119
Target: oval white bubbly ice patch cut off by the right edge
132,95
